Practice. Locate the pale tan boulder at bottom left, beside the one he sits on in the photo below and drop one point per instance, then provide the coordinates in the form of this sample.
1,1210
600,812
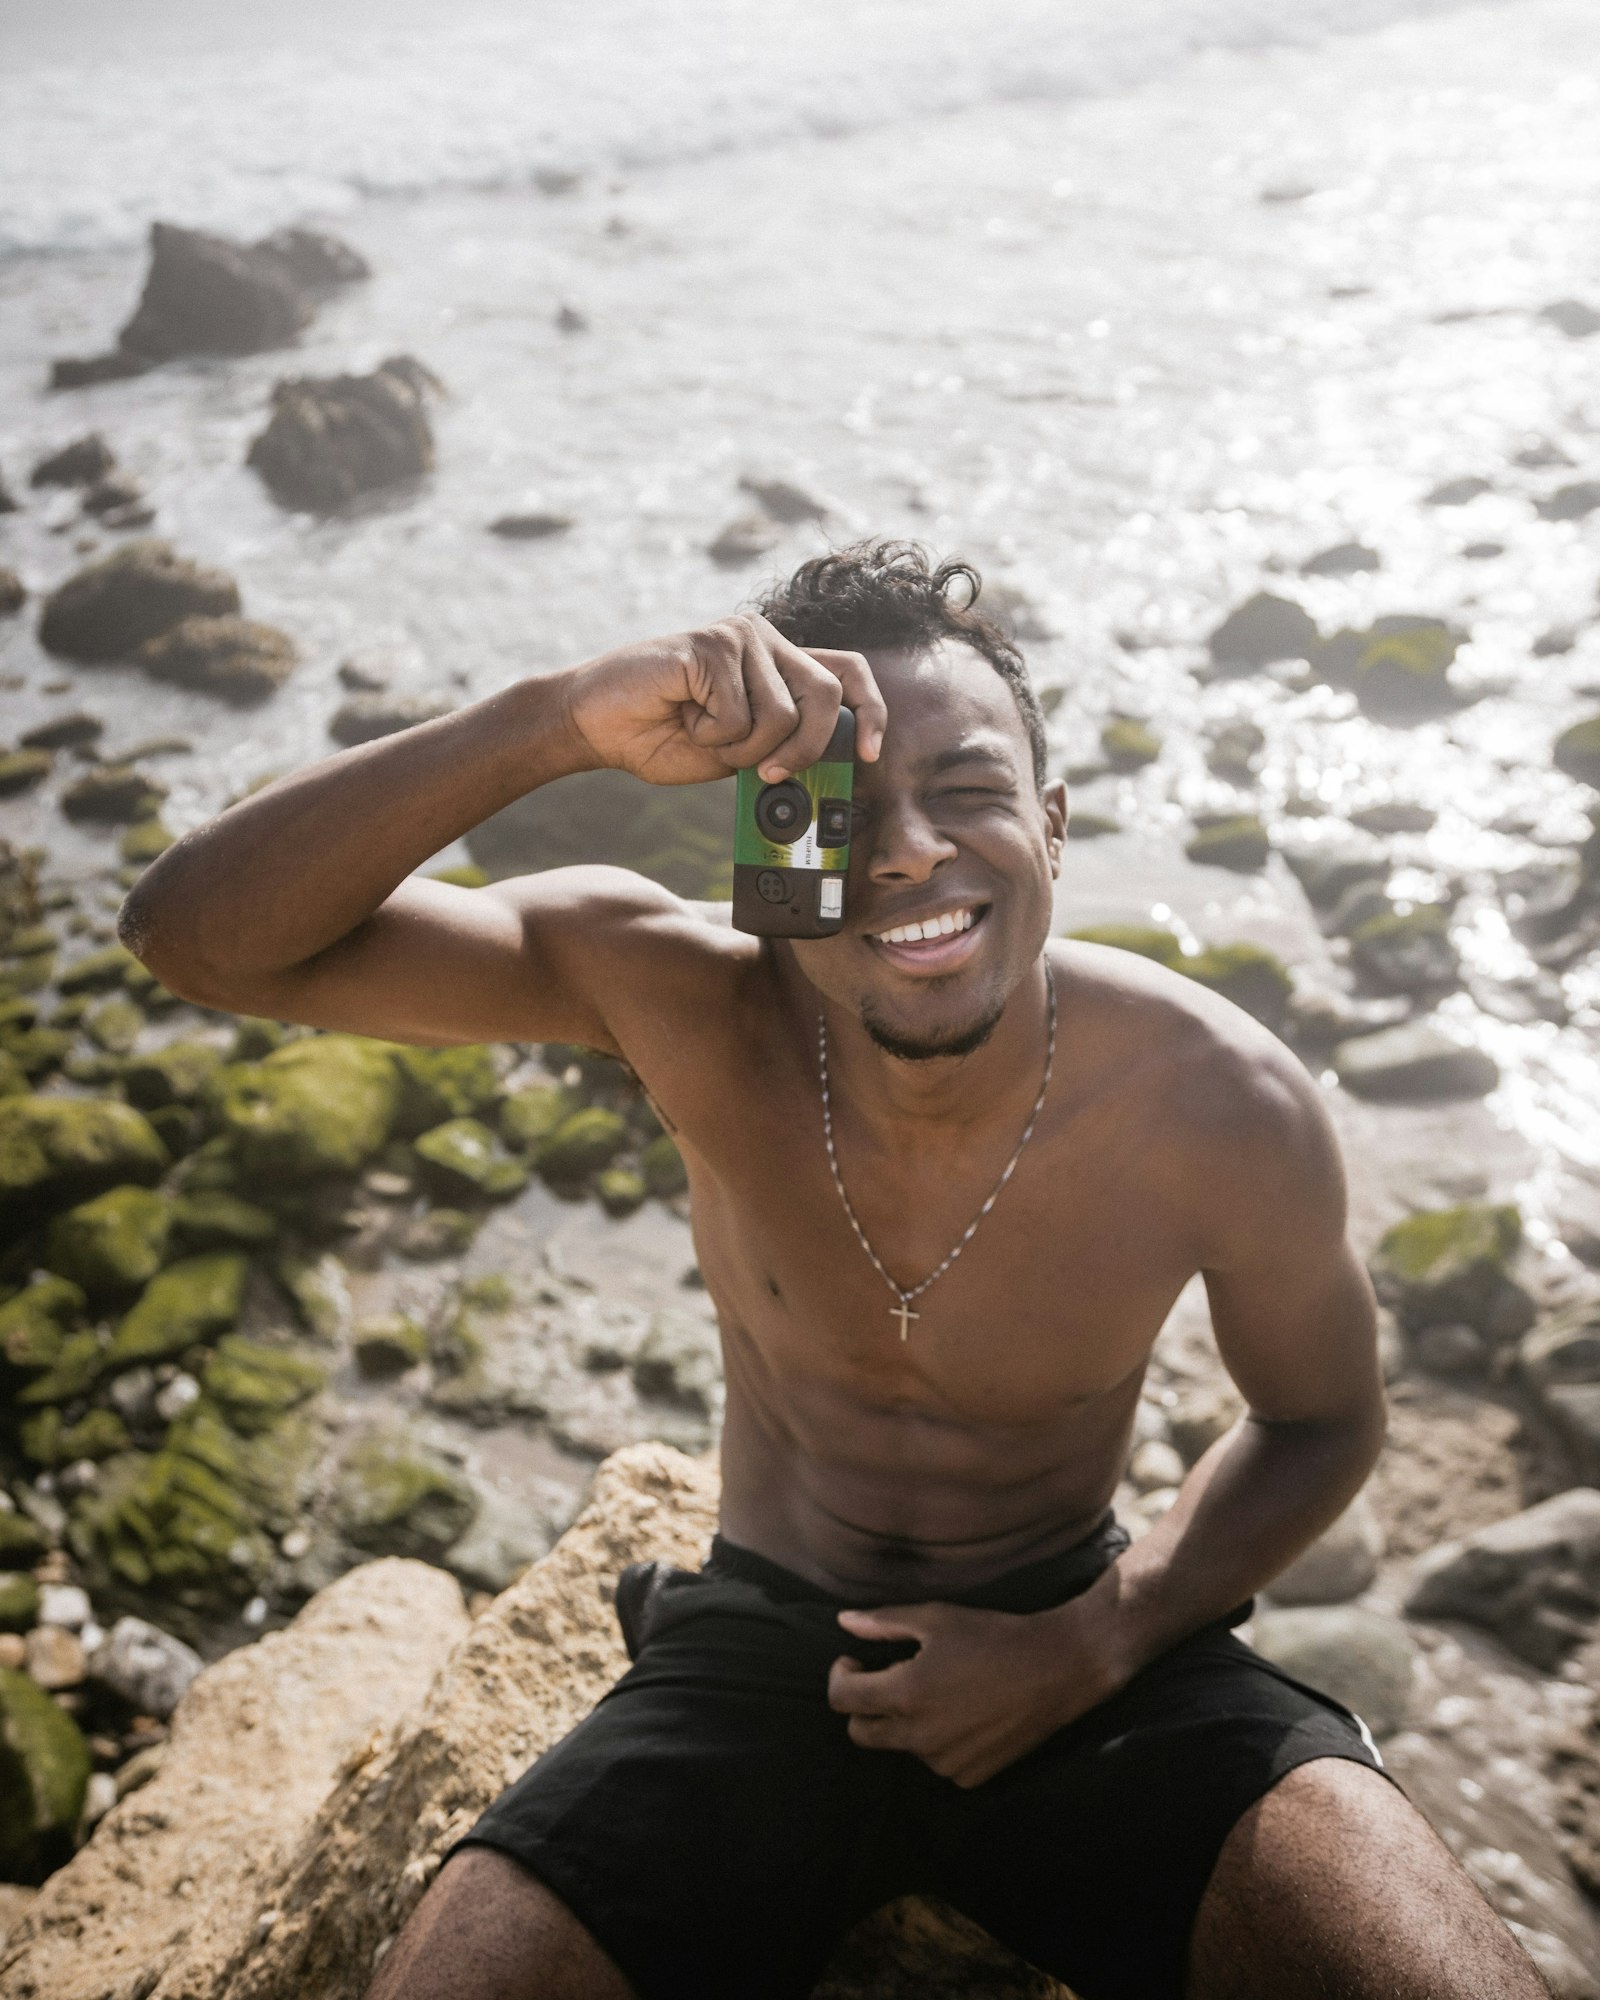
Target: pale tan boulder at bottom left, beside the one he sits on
179,1873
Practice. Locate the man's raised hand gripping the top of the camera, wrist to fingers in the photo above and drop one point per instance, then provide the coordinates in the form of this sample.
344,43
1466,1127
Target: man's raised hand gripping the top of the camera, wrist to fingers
703,705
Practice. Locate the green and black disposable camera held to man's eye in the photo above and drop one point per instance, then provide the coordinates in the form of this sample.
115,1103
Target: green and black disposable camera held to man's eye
793,845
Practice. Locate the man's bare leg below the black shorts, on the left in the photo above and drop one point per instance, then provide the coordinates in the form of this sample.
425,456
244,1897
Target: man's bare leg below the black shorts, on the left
487,1929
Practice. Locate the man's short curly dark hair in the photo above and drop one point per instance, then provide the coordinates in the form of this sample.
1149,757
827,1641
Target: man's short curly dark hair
891,595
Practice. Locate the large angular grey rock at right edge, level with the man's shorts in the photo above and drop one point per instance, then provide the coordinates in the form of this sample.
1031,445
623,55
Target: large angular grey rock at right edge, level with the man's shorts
1533,1581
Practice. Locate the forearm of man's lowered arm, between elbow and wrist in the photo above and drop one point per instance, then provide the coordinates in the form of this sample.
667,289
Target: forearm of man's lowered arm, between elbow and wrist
1243,1515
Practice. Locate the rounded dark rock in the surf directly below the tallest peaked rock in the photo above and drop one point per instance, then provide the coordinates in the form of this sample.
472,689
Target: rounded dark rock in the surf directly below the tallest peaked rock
335,439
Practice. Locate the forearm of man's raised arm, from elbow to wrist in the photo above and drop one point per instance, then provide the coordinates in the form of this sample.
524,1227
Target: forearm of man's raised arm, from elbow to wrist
287,873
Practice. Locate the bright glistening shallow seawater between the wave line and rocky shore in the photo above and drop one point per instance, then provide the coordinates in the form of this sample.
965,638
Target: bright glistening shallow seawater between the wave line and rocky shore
1139,355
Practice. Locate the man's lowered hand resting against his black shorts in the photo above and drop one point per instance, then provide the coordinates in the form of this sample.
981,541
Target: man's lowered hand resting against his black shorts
983,1689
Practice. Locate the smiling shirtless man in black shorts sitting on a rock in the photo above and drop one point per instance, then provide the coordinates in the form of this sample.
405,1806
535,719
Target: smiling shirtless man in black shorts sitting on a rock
921,1657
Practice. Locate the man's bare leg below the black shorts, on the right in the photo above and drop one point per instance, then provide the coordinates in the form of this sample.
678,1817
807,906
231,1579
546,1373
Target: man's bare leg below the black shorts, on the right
1333,1887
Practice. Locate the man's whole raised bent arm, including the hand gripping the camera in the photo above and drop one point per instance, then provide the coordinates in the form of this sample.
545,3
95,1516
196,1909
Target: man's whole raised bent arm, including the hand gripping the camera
297,901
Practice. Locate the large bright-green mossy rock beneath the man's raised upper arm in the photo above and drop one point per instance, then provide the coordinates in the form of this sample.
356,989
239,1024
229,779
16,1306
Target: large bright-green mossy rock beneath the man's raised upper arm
321,1105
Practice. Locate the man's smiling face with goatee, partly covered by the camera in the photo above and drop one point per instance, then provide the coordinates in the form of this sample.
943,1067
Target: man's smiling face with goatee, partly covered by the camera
951,835
